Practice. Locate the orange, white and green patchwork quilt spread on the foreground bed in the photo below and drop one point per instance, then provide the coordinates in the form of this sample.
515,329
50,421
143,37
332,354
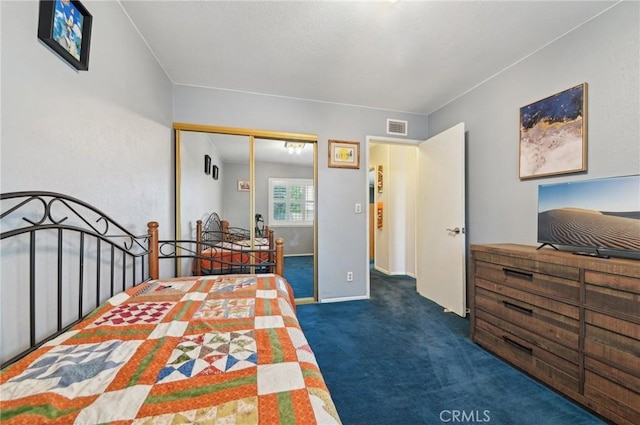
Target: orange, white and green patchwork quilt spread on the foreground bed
212,349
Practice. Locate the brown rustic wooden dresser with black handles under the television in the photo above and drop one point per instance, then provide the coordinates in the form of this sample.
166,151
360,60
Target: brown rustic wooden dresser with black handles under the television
570,321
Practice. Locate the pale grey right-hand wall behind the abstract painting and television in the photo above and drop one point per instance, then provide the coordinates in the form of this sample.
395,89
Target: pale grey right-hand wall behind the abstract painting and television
605,53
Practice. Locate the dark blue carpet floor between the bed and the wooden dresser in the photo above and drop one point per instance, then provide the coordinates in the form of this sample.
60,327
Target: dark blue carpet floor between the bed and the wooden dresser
399,359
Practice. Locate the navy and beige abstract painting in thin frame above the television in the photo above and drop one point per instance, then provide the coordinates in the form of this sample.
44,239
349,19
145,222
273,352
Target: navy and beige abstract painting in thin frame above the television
553,134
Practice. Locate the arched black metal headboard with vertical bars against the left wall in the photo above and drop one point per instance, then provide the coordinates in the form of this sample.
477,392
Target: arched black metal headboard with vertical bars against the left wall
61,258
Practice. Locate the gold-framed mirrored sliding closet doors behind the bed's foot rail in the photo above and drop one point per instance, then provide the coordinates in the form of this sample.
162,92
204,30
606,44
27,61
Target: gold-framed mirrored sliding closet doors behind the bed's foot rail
253,179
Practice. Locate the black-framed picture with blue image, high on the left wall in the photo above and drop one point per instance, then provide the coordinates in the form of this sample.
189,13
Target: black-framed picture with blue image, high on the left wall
65,26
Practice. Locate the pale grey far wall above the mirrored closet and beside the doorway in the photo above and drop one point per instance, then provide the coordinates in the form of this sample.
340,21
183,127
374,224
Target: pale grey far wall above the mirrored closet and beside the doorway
342,233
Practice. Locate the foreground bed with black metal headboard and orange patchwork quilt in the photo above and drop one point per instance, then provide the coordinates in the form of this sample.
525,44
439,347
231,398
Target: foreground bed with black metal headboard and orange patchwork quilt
108,341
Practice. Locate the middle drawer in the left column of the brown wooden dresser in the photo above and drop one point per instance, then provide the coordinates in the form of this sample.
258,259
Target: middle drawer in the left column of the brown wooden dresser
553,320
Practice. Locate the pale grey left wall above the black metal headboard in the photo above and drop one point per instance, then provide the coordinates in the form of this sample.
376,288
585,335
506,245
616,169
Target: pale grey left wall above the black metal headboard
102,135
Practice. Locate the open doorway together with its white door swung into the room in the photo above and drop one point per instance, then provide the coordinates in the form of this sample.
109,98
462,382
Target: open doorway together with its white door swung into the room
438,234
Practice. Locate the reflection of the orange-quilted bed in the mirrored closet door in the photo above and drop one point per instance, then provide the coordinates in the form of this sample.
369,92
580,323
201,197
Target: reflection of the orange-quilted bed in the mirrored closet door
224,249
